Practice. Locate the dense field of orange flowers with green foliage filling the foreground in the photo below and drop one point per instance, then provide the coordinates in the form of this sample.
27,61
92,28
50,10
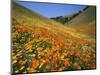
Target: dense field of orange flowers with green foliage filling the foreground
49,53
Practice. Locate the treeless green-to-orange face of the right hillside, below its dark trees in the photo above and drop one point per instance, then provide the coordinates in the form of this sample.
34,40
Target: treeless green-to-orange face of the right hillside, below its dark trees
85,22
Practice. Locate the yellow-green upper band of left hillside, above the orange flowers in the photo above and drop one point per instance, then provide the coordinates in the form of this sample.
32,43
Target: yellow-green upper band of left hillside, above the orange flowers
26,17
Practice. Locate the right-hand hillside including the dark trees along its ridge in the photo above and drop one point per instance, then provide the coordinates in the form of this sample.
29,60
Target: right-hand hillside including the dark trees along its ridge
83,22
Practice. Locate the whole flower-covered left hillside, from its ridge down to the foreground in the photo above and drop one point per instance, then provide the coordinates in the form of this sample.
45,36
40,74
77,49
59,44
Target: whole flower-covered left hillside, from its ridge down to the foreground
42,45
